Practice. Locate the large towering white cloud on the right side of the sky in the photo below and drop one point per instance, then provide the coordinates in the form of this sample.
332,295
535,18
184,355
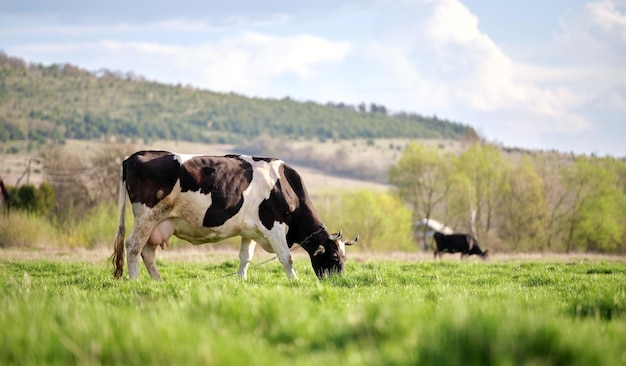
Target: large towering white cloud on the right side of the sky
463,71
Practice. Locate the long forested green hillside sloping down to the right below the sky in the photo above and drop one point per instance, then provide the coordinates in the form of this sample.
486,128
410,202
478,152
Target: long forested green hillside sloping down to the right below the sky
61,101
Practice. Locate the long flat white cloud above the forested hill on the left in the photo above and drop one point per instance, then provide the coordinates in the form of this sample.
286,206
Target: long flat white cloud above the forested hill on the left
246,62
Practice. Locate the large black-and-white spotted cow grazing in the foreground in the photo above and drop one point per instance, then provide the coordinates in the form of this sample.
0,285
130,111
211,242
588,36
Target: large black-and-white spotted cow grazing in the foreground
205,199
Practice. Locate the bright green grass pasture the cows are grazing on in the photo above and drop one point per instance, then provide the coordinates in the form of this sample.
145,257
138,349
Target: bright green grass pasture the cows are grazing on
67,309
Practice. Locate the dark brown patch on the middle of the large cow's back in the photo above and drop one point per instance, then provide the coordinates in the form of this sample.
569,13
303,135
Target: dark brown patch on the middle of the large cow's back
225,178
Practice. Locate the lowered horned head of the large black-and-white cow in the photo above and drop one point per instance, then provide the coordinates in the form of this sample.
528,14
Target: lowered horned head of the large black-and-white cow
330,255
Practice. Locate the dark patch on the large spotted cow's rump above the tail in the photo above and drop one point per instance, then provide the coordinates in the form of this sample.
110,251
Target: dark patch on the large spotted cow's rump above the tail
150,176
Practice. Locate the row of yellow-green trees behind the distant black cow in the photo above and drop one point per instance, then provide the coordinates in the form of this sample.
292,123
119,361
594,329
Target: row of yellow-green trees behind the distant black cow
518,202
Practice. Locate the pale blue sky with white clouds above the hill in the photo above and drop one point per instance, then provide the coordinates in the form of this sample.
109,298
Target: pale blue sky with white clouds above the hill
533,74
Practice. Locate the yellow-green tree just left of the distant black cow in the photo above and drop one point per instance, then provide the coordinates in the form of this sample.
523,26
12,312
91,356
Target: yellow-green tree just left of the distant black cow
422,179
